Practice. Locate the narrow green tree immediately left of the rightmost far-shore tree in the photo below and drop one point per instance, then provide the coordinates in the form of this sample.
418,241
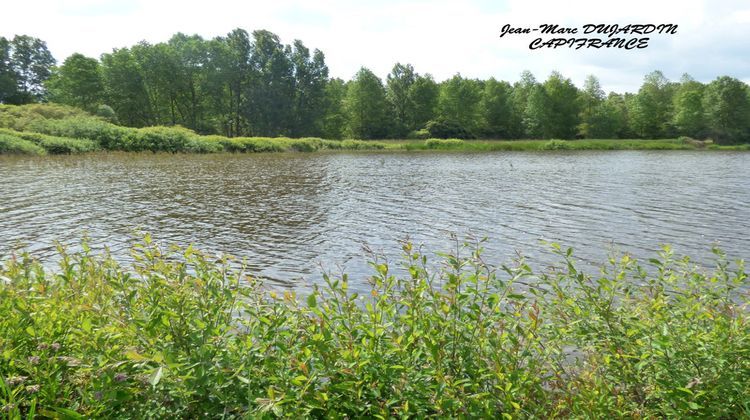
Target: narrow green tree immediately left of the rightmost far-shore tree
689,118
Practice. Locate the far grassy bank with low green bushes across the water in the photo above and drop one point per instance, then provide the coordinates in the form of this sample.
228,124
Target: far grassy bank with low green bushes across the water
54,129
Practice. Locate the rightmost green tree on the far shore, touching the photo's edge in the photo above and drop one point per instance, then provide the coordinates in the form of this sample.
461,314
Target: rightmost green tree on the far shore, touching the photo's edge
727,110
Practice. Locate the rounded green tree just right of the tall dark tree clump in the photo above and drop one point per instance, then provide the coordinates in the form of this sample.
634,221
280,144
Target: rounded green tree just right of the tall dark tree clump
367,107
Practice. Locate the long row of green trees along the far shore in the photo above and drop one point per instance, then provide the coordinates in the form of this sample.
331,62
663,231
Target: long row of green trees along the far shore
251,84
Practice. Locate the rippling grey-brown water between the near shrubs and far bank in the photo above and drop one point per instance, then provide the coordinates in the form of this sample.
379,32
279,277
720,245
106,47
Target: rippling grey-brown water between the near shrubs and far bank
286,213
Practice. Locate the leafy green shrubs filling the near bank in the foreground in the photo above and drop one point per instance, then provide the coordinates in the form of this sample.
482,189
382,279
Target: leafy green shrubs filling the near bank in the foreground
181,334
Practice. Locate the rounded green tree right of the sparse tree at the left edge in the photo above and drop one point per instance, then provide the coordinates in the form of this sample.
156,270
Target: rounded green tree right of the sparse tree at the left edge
78,82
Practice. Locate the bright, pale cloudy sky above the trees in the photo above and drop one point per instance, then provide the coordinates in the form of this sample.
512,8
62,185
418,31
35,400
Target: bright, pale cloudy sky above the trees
436,36
